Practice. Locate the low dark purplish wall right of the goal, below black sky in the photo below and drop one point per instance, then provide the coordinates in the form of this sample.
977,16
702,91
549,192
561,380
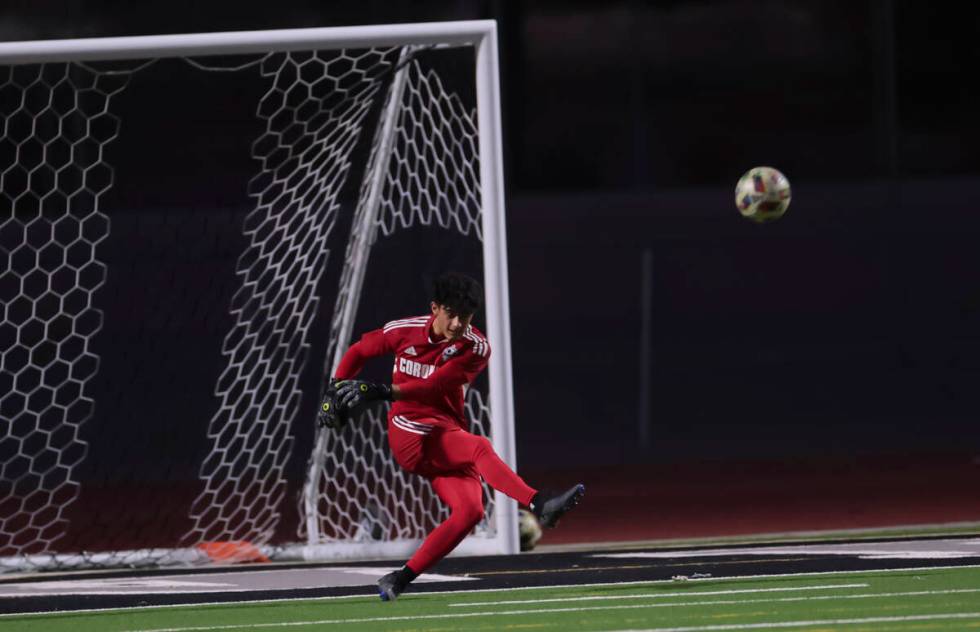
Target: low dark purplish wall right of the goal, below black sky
848,327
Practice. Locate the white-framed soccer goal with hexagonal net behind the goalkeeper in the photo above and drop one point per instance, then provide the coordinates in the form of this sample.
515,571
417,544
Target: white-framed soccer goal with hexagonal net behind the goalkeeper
194,229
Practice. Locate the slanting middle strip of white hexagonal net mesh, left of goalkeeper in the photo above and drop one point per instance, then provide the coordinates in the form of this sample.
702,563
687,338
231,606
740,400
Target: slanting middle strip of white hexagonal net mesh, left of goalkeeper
314,113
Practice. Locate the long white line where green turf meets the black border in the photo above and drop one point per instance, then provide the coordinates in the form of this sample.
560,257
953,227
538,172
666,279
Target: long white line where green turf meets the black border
648,582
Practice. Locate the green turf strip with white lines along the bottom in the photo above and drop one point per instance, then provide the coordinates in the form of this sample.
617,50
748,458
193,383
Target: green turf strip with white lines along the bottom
935,599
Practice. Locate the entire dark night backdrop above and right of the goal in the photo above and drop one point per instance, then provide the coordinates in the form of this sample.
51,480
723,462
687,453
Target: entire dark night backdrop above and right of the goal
848,327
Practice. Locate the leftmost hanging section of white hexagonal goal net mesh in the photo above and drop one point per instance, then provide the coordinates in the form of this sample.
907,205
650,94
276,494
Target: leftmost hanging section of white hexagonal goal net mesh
56,124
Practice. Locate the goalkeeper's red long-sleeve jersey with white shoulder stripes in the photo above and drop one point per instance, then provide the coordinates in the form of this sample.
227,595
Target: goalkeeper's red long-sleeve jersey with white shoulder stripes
431,375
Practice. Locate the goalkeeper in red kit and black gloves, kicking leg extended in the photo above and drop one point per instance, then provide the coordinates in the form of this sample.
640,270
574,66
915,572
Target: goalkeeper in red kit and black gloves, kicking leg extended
436,356
